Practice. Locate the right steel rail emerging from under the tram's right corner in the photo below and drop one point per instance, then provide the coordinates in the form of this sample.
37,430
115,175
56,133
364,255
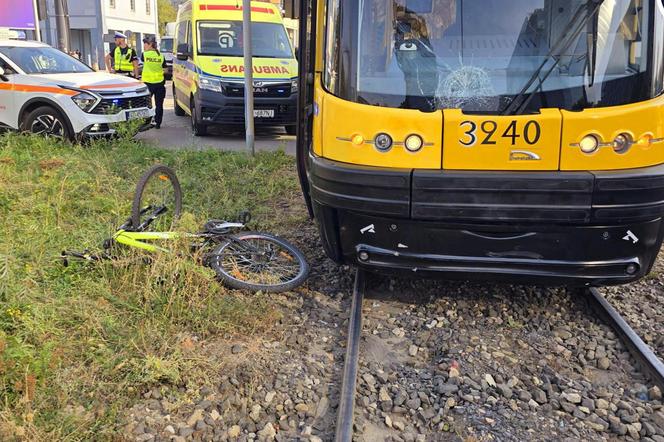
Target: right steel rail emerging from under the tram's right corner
647,360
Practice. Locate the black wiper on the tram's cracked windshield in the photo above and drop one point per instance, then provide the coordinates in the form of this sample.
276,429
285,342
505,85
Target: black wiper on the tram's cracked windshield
579,21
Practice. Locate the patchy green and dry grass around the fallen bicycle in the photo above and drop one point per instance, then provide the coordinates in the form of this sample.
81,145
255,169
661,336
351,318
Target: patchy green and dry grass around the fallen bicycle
79,344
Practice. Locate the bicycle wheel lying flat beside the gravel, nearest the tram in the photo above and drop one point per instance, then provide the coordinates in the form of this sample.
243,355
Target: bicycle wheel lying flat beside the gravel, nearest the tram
259,261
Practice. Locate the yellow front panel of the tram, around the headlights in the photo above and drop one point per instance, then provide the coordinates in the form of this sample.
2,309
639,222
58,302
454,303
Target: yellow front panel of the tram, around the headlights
536,142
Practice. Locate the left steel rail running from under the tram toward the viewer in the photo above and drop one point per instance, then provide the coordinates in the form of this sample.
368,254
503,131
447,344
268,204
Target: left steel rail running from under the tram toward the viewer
344,430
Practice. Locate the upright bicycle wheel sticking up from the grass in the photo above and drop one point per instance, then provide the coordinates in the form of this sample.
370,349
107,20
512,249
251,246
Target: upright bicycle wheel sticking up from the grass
157,200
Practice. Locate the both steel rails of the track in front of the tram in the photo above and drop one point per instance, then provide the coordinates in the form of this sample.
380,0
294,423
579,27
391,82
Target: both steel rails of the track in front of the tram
647,361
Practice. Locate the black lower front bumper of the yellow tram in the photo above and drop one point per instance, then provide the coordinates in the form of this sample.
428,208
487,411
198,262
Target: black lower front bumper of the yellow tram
551,228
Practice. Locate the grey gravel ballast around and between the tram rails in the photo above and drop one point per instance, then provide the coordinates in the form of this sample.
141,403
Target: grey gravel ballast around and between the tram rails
439,360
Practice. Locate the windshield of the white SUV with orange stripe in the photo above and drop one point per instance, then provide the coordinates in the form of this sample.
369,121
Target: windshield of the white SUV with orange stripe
43,60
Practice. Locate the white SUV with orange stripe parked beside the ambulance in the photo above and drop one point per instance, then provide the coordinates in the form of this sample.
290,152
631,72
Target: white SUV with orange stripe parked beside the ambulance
43,90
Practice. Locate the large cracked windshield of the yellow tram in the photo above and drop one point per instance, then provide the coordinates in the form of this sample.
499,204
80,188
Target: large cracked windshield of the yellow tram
478,55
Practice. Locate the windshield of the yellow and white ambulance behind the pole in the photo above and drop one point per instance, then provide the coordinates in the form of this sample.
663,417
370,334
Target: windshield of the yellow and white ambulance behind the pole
224,38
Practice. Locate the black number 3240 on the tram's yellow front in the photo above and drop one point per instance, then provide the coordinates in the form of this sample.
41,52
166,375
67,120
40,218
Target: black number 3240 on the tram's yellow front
487,133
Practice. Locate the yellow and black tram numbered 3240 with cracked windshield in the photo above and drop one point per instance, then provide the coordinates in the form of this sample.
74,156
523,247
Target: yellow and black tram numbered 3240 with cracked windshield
517,140
